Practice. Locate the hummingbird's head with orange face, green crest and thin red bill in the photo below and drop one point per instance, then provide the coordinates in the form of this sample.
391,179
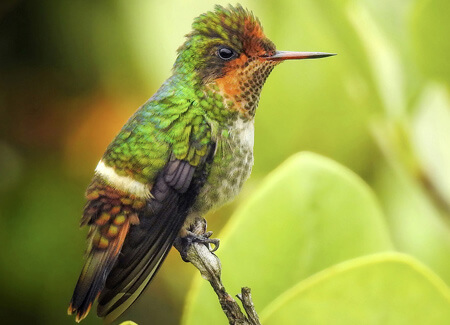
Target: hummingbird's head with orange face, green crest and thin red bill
228,54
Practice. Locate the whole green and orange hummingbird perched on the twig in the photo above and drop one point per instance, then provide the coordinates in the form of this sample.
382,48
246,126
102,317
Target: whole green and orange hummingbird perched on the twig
187,150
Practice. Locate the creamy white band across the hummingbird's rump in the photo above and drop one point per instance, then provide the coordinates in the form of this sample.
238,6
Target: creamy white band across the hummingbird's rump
124,183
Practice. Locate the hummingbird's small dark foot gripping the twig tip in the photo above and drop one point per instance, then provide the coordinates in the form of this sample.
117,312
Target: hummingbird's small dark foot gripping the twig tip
195,232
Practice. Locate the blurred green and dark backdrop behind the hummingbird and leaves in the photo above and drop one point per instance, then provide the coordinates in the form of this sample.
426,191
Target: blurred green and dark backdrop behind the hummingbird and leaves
72,72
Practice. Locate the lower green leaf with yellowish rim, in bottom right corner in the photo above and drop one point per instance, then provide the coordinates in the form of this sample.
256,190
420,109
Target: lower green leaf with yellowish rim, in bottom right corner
381,289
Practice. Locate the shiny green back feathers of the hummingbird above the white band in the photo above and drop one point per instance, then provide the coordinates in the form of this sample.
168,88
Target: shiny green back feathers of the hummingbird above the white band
170,123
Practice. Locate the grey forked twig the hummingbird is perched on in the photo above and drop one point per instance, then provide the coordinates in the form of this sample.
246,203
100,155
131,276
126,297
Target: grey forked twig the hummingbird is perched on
210,268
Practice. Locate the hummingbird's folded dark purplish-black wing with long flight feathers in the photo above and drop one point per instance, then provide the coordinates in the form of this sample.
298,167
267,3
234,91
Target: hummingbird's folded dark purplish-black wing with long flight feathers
148,243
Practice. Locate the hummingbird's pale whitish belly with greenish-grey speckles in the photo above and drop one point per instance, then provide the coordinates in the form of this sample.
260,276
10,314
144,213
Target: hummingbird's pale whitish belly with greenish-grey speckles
231,167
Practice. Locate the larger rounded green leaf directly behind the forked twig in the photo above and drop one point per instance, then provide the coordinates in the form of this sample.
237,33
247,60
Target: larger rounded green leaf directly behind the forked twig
309,214
